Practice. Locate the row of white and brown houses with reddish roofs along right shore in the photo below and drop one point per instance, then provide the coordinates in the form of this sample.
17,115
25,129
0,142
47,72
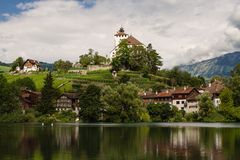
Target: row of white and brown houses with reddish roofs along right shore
185,98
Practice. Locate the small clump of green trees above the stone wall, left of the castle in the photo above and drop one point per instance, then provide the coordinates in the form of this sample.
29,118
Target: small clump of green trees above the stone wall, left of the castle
92,58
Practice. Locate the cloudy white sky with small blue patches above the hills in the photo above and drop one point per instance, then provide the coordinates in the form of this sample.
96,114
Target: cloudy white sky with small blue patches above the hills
182,31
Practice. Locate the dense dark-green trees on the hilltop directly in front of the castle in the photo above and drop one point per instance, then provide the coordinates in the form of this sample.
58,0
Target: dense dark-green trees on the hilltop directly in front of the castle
136,58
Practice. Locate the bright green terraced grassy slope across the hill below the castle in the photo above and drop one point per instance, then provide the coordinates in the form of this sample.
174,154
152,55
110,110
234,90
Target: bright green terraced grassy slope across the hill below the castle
101,76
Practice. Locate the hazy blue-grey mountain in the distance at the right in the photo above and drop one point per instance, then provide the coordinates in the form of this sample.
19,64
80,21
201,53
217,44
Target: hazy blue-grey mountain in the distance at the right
221,66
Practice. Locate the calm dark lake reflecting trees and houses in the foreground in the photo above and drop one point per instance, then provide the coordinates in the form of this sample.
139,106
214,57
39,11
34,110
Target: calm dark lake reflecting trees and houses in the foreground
120,142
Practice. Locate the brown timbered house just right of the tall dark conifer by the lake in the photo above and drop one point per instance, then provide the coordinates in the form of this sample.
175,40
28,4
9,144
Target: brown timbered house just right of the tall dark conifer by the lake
67,102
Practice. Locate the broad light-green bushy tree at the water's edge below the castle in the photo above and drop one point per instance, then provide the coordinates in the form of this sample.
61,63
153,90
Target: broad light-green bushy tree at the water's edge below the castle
123,104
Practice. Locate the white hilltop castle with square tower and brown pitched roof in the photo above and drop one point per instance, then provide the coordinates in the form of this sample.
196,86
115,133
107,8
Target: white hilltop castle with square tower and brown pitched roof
121,35
